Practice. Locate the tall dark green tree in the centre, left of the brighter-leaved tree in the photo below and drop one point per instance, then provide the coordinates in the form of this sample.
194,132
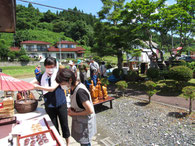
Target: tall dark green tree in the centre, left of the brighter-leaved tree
115,36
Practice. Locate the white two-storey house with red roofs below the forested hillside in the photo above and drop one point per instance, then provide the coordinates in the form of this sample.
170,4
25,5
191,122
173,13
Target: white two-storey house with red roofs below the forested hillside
42,49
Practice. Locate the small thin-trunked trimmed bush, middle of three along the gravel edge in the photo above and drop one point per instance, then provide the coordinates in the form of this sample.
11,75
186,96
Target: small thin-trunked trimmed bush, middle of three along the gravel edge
150,89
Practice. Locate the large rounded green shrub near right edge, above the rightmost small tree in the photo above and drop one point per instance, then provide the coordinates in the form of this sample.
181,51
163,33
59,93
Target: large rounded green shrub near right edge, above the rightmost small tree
181,73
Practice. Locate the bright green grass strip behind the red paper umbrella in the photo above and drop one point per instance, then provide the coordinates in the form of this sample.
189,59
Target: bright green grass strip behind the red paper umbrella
19,71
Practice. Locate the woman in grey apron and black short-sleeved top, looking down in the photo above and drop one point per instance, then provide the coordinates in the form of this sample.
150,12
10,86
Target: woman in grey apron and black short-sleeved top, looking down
82,110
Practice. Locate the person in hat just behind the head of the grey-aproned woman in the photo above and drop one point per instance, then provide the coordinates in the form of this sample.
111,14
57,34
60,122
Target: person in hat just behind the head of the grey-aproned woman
82,73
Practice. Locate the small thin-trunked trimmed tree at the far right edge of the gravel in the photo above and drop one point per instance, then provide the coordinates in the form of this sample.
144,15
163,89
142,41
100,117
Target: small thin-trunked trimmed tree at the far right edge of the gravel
189,93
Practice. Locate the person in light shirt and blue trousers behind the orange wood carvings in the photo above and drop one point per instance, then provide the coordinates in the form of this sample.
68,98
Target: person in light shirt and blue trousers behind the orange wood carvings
94,70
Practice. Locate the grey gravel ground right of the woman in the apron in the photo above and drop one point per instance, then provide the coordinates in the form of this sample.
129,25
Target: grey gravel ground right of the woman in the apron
131,122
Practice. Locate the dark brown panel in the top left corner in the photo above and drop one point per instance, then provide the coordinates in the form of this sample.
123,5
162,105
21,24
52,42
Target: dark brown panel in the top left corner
7,15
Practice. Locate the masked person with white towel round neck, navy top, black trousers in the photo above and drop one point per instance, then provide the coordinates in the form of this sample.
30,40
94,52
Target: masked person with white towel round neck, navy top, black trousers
54,97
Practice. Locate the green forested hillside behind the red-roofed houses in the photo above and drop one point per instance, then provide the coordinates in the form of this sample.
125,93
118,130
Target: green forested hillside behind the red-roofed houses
51,27
